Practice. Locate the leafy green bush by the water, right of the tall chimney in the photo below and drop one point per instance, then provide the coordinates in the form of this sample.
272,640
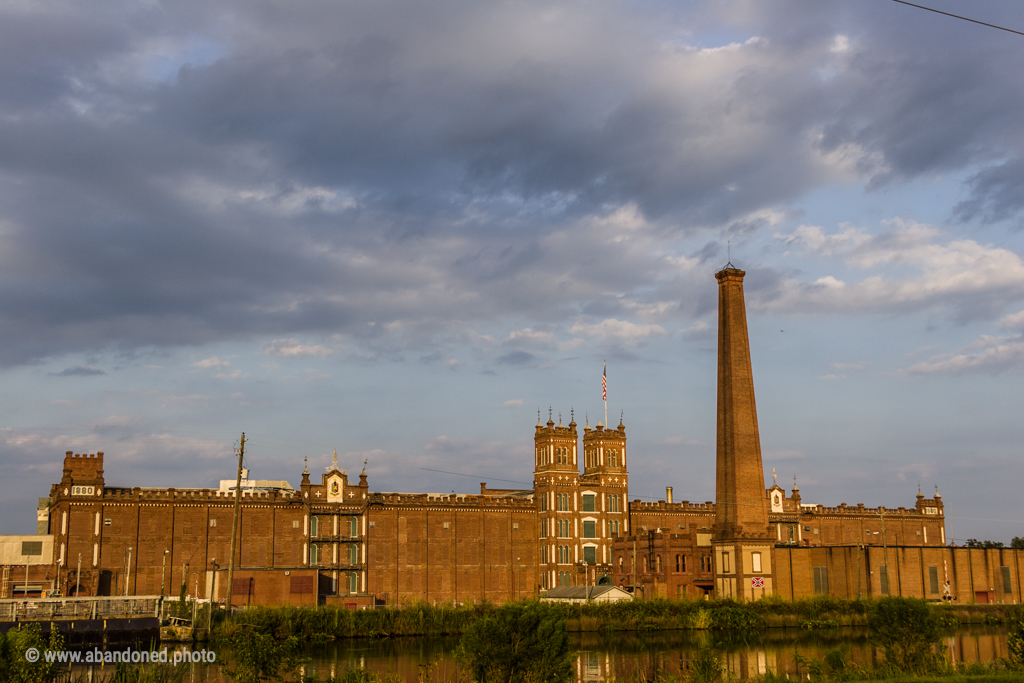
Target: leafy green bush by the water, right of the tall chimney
907,629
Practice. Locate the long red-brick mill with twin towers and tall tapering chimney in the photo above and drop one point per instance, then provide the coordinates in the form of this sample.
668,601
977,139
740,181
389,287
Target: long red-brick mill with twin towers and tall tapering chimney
335,541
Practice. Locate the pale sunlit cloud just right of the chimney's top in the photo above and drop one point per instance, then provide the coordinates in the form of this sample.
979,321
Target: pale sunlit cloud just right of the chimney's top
968,280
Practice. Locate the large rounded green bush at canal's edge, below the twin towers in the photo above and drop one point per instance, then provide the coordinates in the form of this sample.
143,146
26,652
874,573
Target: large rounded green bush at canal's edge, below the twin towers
520,643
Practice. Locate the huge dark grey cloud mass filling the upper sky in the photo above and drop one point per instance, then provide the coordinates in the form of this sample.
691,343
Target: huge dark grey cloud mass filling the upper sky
182,175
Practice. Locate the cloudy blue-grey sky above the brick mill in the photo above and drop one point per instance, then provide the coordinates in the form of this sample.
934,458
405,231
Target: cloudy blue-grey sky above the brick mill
400,230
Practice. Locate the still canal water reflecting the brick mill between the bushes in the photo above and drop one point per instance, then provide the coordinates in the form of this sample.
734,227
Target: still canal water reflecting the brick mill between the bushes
625,656
